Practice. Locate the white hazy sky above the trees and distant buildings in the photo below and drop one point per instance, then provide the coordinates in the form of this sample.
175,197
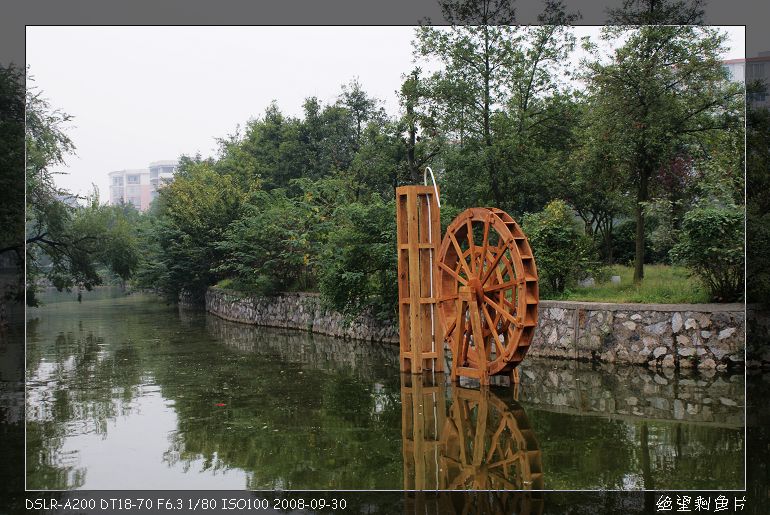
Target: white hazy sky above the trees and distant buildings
142,94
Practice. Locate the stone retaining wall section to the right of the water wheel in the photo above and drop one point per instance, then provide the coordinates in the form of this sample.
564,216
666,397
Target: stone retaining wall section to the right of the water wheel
659,335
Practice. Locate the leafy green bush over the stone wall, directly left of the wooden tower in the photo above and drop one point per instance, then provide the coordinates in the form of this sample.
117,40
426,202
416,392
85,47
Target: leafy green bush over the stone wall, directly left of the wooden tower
358,268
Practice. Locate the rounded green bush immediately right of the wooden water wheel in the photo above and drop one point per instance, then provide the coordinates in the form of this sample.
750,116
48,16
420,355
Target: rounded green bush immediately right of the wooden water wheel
563,253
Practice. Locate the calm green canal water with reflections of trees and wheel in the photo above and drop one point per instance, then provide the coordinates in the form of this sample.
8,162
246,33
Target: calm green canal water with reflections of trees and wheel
126,392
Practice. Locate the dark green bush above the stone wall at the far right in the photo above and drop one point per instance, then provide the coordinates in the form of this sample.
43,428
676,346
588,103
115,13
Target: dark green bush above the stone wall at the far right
711,245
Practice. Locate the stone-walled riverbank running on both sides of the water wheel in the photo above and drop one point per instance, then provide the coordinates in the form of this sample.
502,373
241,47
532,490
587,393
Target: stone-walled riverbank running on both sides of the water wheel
702,336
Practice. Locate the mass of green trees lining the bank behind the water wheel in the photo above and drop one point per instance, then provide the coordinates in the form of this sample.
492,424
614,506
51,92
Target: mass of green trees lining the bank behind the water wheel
306,203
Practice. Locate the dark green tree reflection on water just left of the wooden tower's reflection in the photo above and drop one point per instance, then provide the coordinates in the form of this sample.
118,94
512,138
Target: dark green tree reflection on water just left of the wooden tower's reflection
293,415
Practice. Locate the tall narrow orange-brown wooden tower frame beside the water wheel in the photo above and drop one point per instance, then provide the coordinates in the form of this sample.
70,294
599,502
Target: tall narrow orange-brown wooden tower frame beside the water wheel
421,338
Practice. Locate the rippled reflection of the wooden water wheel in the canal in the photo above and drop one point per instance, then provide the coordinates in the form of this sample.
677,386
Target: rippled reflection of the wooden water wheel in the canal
488,445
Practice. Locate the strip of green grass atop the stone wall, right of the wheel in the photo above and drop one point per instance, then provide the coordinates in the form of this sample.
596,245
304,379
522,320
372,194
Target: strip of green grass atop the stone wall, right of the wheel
662,284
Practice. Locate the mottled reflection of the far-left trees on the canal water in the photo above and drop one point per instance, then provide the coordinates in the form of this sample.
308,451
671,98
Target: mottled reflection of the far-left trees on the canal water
76,377
